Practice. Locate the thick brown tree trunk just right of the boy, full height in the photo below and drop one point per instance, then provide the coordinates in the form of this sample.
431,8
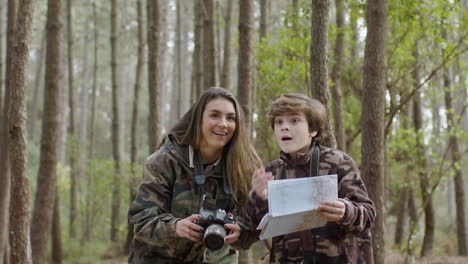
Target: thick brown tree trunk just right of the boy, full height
373,117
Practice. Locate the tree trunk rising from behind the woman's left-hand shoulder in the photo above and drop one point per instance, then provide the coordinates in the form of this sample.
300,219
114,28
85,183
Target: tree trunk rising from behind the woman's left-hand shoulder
153,70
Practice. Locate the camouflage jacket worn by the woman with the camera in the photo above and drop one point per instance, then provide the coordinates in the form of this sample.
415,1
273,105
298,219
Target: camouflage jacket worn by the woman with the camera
169,193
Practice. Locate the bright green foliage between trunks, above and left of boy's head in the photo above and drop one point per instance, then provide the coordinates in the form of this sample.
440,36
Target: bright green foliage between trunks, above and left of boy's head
283,66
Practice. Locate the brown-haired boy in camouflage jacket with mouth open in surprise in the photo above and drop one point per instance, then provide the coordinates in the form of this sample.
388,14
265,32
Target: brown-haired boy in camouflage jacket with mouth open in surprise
297,122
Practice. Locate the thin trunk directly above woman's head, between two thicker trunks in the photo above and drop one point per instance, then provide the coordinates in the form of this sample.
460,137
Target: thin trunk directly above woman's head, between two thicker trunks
225,77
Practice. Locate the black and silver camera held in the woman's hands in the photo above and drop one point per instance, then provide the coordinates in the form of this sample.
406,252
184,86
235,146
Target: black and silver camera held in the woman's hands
213,222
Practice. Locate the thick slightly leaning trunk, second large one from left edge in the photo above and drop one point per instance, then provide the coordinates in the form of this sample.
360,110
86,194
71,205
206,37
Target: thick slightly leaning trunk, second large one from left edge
46,181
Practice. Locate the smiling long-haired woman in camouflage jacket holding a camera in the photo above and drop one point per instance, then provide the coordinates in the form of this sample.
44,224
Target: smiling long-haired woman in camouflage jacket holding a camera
206,155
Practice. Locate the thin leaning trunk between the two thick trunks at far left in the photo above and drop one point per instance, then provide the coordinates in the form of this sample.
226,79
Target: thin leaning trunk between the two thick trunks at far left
38,80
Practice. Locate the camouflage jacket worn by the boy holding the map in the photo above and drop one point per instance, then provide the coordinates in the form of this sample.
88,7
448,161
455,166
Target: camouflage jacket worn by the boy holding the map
346,241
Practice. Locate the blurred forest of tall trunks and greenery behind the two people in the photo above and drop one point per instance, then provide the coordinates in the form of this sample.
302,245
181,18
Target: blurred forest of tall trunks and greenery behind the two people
88,89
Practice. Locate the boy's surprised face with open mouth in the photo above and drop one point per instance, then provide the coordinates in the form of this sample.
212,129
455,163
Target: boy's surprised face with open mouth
292,133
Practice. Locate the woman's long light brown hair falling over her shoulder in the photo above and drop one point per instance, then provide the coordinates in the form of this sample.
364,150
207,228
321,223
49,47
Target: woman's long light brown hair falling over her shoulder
241,158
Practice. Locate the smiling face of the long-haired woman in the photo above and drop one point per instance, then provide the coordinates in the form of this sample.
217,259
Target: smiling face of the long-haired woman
218,124
